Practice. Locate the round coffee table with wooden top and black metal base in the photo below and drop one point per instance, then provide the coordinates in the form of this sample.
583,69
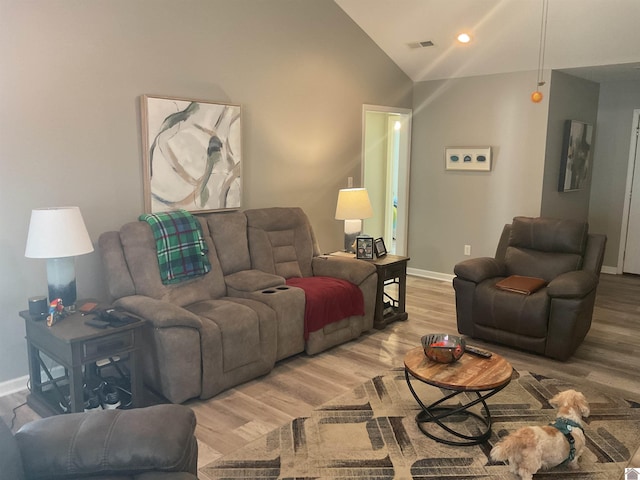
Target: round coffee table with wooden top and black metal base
483,376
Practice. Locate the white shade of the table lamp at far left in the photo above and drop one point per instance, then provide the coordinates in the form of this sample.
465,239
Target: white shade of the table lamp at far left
57,233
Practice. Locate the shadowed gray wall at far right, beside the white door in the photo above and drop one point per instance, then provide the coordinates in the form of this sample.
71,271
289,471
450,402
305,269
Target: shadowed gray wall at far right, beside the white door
613,137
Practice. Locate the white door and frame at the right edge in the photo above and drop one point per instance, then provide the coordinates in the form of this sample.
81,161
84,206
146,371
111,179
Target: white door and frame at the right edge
629,257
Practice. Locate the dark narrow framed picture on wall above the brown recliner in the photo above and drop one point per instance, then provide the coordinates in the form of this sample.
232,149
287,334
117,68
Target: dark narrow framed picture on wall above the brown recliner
576,150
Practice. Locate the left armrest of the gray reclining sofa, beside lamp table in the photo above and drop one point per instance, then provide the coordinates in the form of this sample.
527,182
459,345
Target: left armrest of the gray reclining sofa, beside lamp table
159,313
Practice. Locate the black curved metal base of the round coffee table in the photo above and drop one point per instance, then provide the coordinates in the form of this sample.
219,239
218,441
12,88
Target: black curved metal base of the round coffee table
437,414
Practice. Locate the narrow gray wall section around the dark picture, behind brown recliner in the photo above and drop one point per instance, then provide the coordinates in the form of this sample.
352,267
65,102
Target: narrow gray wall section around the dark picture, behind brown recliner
570,98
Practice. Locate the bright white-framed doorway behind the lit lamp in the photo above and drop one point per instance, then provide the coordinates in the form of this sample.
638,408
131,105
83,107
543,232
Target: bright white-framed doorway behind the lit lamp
386,147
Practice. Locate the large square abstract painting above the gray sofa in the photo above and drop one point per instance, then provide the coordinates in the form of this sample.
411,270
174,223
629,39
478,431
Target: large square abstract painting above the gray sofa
192,155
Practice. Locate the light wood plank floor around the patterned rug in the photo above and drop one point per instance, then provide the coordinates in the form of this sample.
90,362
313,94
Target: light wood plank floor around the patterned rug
610,356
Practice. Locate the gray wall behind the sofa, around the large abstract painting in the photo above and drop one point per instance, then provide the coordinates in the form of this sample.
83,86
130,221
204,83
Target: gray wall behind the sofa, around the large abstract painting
72,72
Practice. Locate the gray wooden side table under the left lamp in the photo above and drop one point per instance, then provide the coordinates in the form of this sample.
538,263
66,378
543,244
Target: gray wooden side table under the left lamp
75,346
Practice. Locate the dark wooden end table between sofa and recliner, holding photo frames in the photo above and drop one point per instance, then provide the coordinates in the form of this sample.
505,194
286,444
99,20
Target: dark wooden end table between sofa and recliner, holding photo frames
390,307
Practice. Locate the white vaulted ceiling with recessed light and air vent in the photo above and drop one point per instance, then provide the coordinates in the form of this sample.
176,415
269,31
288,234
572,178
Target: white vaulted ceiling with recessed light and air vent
580,35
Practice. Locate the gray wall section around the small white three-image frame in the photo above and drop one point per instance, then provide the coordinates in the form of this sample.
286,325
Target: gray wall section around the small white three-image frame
452,208
